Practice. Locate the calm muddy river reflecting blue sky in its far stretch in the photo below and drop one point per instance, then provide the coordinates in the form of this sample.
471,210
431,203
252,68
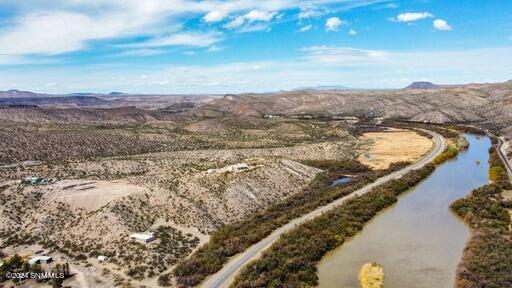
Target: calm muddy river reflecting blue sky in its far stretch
418,241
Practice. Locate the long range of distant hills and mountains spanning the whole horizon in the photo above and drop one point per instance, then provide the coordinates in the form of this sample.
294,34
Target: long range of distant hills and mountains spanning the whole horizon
420,101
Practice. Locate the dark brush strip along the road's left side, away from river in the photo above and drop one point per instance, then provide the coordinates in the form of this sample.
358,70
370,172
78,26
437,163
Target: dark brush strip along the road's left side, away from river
236,238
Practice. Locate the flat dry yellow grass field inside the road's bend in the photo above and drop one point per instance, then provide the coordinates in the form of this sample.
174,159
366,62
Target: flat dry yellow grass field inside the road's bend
385,148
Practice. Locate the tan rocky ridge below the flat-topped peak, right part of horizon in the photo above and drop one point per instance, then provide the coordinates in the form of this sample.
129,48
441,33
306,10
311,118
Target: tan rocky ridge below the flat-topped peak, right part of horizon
466,103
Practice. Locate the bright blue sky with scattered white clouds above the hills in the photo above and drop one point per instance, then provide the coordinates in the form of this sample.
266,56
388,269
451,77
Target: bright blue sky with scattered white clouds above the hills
185,46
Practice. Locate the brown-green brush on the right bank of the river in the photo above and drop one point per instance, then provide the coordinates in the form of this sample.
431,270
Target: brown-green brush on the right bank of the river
487,260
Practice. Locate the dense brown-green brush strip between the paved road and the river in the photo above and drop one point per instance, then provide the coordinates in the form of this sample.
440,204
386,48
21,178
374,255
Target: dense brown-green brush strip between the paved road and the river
292,260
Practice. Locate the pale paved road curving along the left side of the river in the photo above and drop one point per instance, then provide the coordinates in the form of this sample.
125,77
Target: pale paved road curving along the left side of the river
226,275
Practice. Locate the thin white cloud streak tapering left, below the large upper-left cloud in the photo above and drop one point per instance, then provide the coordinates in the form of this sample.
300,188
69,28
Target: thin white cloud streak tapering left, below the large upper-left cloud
182,39
